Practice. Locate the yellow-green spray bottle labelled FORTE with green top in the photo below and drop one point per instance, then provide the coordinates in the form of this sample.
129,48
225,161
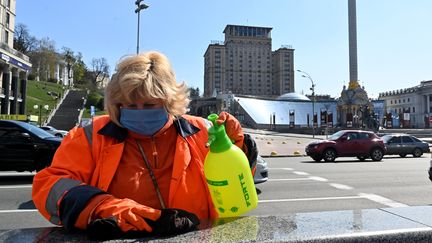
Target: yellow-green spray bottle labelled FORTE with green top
228,174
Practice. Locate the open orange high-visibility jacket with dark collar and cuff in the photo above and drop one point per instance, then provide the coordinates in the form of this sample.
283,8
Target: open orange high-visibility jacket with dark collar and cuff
84,166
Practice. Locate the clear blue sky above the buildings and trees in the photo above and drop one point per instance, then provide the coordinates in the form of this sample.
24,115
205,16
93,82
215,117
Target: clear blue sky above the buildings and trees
394,37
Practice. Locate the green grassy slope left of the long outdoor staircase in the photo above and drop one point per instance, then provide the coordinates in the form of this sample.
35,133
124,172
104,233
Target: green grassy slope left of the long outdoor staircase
42,93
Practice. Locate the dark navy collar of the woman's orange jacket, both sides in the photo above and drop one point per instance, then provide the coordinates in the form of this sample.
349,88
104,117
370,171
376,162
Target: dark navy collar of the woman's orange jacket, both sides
183,127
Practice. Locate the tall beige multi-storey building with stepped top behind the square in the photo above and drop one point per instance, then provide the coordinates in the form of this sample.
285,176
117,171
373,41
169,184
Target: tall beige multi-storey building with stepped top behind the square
245,64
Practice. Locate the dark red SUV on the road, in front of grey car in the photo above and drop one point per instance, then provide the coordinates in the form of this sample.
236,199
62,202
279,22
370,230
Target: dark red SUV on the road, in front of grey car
348,143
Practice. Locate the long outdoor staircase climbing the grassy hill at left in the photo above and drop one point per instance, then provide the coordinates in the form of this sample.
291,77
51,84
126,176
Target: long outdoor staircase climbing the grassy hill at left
67,114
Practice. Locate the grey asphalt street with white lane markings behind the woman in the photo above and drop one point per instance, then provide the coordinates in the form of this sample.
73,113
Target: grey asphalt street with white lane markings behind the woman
296,184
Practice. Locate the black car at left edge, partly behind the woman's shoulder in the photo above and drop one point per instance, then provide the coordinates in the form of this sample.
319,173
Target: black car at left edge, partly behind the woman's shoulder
25,147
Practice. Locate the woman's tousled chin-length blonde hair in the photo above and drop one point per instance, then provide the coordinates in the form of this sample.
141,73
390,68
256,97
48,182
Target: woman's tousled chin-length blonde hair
146,75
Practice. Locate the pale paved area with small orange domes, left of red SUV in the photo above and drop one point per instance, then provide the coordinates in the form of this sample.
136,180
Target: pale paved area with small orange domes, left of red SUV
281,144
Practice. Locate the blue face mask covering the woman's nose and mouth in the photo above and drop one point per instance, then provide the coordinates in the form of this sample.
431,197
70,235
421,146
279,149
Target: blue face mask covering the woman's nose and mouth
143,121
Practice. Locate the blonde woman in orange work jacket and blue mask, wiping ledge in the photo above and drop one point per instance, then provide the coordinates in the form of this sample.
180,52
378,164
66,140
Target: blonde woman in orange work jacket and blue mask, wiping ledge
138,169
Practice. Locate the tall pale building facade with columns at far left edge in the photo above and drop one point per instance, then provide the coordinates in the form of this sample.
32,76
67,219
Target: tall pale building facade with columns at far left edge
14,66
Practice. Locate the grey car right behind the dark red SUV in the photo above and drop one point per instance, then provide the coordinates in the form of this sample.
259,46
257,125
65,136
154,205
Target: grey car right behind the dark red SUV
403,144
